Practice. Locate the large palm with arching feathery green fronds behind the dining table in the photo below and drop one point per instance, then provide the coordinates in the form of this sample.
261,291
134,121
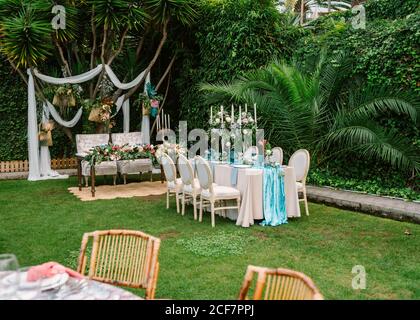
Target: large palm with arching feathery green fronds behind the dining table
321,112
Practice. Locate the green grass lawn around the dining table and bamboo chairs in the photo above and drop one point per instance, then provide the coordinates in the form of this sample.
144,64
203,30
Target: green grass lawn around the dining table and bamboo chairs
42,222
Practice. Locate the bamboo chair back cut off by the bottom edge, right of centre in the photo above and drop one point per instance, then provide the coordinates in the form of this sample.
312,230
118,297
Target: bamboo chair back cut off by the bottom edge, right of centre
279,284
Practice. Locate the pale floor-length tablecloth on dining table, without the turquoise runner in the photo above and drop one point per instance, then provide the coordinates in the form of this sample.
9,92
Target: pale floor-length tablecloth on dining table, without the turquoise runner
250,184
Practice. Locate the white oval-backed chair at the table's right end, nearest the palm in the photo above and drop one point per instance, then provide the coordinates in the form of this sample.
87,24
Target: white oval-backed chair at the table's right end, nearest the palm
300,160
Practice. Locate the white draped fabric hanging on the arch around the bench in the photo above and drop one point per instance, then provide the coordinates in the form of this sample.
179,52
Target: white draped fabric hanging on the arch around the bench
39,159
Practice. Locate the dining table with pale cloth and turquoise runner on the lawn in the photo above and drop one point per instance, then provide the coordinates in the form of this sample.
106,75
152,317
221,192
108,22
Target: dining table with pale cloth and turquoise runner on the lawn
268,190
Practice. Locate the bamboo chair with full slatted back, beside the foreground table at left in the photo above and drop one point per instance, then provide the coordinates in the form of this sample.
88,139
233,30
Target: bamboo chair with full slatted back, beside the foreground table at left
123,258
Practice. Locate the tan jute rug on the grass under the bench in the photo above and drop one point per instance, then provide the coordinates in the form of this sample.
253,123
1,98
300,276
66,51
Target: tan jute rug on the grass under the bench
106,192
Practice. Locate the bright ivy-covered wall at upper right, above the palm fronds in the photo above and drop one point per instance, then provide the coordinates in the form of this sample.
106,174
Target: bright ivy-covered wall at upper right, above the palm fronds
385,53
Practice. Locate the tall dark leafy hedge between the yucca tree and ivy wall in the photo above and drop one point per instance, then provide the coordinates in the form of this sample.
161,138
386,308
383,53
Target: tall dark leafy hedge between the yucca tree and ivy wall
232,37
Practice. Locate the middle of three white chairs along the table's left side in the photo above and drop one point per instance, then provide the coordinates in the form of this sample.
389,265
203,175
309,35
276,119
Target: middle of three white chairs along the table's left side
191,187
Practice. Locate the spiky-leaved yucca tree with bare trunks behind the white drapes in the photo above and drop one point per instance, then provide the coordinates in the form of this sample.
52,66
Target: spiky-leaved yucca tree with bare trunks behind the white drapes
115,29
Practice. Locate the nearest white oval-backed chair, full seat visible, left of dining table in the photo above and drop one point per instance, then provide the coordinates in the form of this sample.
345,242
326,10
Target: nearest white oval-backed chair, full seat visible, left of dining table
211,192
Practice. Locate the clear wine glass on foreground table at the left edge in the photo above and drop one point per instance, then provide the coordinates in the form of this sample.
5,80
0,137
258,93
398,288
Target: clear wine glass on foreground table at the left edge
9,276
